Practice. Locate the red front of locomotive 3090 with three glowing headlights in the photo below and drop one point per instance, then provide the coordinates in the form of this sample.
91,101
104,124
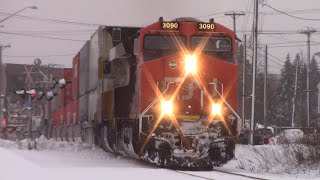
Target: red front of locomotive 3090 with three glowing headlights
188,93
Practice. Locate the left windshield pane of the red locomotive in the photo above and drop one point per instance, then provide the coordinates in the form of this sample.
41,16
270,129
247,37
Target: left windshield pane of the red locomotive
156,46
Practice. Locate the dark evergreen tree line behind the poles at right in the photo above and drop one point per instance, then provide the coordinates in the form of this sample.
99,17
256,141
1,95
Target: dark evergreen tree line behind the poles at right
281,91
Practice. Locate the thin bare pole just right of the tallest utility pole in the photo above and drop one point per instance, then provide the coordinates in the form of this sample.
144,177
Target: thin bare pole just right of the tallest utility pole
265,91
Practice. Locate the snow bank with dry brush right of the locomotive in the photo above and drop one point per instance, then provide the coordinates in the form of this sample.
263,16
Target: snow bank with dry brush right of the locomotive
275,159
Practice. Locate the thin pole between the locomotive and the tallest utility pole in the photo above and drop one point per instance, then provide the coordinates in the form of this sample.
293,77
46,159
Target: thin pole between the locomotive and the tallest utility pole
244,80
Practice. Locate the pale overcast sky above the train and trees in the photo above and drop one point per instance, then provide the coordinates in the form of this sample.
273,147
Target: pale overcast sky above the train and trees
141,13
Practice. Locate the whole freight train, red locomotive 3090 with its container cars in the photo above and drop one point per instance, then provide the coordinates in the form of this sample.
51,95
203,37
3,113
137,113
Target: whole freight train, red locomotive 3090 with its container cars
165,93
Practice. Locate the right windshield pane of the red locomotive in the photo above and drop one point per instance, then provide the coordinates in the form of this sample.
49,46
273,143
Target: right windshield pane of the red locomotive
217,46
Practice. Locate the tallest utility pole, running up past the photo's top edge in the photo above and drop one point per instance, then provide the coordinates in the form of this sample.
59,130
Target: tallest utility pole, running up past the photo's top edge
254,66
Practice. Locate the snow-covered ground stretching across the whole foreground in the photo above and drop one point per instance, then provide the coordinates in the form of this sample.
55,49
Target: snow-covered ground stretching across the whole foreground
63,160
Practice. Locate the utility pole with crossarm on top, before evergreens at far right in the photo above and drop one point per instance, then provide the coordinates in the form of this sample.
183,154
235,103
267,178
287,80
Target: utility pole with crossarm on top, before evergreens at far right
308,32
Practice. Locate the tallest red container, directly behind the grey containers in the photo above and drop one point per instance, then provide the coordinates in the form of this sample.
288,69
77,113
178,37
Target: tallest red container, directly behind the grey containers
75,76
